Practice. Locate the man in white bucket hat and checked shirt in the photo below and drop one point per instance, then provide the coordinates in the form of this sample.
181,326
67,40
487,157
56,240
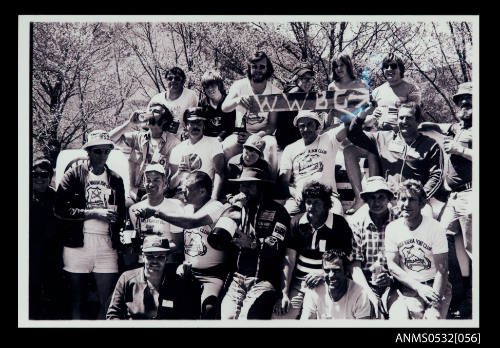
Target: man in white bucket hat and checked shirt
369,266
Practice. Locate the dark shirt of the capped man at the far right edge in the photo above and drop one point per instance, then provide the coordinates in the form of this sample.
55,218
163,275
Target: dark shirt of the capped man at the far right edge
460,168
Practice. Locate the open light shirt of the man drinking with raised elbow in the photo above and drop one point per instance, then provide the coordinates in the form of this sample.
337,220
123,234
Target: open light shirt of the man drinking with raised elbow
142,153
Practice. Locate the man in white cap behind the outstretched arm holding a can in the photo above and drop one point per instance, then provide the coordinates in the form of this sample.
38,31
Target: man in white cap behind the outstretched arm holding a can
155,180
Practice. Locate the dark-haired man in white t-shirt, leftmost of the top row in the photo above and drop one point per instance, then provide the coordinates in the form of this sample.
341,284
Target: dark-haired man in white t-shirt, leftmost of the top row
176,98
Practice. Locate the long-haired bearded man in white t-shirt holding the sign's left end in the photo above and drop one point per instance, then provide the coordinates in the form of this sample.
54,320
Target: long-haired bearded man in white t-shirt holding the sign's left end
258,81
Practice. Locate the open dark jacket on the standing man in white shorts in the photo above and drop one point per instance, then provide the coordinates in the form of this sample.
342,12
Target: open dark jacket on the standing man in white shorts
70,205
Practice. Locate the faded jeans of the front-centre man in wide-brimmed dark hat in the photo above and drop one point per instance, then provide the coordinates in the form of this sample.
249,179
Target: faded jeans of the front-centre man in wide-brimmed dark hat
248,298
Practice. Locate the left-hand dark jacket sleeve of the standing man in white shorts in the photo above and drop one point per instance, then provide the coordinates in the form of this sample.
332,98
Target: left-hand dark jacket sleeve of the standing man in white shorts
66,197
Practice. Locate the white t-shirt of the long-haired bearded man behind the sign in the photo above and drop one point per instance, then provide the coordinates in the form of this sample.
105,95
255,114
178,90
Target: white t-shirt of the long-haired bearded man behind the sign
255,122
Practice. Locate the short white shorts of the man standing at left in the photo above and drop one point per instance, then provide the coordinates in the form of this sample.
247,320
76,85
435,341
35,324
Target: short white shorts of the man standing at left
96,256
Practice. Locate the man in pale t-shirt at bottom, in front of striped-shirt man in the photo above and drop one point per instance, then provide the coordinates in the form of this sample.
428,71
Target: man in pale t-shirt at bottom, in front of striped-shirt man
338,297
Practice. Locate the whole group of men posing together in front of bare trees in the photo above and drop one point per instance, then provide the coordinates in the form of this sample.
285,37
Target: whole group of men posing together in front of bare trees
219,229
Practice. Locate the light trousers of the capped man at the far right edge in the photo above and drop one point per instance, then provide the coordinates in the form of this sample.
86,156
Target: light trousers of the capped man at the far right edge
457,217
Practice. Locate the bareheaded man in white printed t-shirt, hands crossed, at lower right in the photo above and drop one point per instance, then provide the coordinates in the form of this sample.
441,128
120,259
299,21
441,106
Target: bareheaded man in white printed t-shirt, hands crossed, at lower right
417,256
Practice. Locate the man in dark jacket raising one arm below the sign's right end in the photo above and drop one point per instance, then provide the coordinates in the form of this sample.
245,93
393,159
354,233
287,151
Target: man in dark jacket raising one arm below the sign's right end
404,152
